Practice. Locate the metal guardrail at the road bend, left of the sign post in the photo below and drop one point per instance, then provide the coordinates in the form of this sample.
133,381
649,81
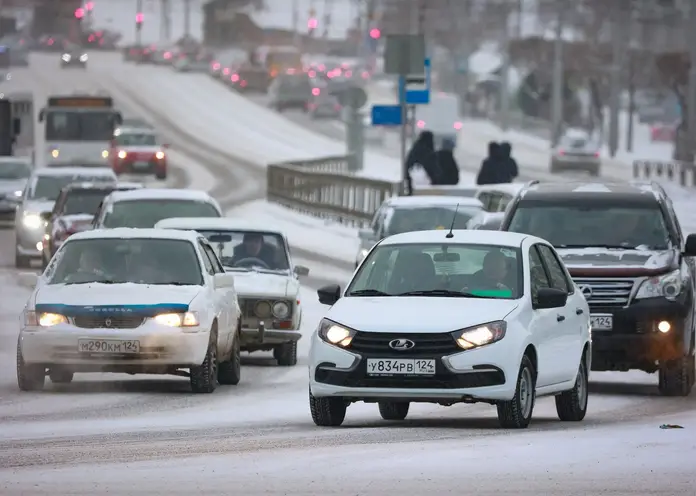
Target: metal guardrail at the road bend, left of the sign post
324,188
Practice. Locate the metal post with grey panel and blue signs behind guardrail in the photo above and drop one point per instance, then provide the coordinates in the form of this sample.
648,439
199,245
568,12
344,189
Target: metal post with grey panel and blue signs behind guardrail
404,56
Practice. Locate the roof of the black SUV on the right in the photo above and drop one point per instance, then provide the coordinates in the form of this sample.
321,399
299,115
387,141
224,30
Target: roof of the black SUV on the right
593,190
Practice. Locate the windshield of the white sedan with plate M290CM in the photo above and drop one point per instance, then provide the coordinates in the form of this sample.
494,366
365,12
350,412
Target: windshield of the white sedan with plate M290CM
120,261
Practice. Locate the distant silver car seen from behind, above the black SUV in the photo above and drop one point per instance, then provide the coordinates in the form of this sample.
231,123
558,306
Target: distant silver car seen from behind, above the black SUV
576,151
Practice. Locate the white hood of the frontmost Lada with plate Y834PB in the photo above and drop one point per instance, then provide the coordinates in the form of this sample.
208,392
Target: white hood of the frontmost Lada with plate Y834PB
414,314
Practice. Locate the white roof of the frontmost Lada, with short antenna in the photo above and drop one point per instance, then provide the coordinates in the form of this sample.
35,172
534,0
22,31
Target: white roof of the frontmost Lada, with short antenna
497,238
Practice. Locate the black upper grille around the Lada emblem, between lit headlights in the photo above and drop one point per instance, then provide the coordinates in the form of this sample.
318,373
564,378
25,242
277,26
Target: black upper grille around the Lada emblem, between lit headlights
377,344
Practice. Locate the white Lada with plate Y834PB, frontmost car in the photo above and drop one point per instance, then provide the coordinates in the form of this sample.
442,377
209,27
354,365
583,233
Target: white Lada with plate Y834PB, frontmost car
465,316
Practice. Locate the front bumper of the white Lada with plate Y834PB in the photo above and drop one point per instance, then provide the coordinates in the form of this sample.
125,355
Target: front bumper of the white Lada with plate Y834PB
486,374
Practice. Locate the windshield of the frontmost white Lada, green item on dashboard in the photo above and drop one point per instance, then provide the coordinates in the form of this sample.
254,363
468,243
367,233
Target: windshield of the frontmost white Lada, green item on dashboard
447,270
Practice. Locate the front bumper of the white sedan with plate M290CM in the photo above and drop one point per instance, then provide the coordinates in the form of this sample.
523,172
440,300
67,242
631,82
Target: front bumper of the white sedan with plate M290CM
150,344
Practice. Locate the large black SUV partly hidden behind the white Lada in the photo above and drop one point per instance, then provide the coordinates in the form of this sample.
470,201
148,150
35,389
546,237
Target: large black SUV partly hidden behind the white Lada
624,248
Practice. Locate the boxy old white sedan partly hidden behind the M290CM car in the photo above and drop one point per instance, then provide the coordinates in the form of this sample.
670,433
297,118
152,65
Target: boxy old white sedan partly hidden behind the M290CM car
266,281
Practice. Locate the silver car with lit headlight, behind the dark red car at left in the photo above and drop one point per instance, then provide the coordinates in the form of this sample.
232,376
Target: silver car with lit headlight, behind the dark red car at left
39,196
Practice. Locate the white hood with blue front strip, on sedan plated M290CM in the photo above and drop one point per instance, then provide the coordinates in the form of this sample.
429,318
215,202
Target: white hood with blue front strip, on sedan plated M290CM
115,295
